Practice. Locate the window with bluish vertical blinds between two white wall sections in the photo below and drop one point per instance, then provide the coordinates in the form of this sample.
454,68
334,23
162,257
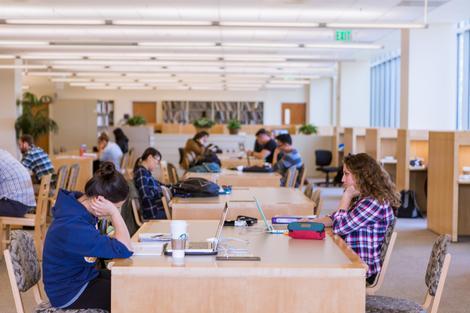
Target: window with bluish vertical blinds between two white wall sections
385,93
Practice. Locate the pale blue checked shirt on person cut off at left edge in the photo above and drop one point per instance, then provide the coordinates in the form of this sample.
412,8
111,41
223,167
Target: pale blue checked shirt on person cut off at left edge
15,181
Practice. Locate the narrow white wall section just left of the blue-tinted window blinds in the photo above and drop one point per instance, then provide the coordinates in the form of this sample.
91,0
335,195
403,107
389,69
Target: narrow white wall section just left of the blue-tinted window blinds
355,94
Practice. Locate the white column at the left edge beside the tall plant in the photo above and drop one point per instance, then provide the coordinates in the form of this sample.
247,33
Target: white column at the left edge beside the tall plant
10,90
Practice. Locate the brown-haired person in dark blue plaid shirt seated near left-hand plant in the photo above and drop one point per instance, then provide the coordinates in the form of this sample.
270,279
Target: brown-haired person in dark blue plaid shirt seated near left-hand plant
34,158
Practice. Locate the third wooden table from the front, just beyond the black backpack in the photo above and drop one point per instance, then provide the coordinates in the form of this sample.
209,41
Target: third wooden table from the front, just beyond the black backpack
241,179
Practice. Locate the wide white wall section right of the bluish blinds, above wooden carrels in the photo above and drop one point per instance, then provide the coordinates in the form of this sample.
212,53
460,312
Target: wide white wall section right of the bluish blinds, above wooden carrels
432,78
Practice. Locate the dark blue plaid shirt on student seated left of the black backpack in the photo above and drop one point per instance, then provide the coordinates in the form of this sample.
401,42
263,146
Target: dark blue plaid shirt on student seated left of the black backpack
150,192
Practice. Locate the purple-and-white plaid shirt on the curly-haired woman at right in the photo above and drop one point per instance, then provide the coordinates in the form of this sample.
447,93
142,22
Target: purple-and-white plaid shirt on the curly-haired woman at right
363,227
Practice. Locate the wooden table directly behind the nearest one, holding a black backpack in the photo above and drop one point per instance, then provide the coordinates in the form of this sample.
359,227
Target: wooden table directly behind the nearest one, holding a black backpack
273,200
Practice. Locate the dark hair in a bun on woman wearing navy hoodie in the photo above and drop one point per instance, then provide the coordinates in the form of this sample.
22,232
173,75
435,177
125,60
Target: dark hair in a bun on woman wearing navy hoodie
107,182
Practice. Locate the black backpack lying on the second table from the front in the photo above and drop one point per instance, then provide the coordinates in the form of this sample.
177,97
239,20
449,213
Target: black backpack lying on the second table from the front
195,187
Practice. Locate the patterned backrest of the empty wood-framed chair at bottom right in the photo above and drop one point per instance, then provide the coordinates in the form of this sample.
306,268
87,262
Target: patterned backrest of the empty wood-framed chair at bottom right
436,272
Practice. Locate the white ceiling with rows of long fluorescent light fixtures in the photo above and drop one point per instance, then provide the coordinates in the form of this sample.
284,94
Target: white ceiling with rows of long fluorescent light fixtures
247,45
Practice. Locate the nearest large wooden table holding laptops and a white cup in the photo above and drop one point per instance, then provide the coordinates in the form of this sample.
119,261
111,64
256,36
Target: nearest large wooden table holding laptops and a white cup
307,276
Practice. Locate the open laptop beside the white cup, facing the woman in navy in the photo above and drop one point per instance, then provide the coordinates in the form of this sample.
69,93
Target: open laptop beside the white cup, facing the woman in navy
203,247
